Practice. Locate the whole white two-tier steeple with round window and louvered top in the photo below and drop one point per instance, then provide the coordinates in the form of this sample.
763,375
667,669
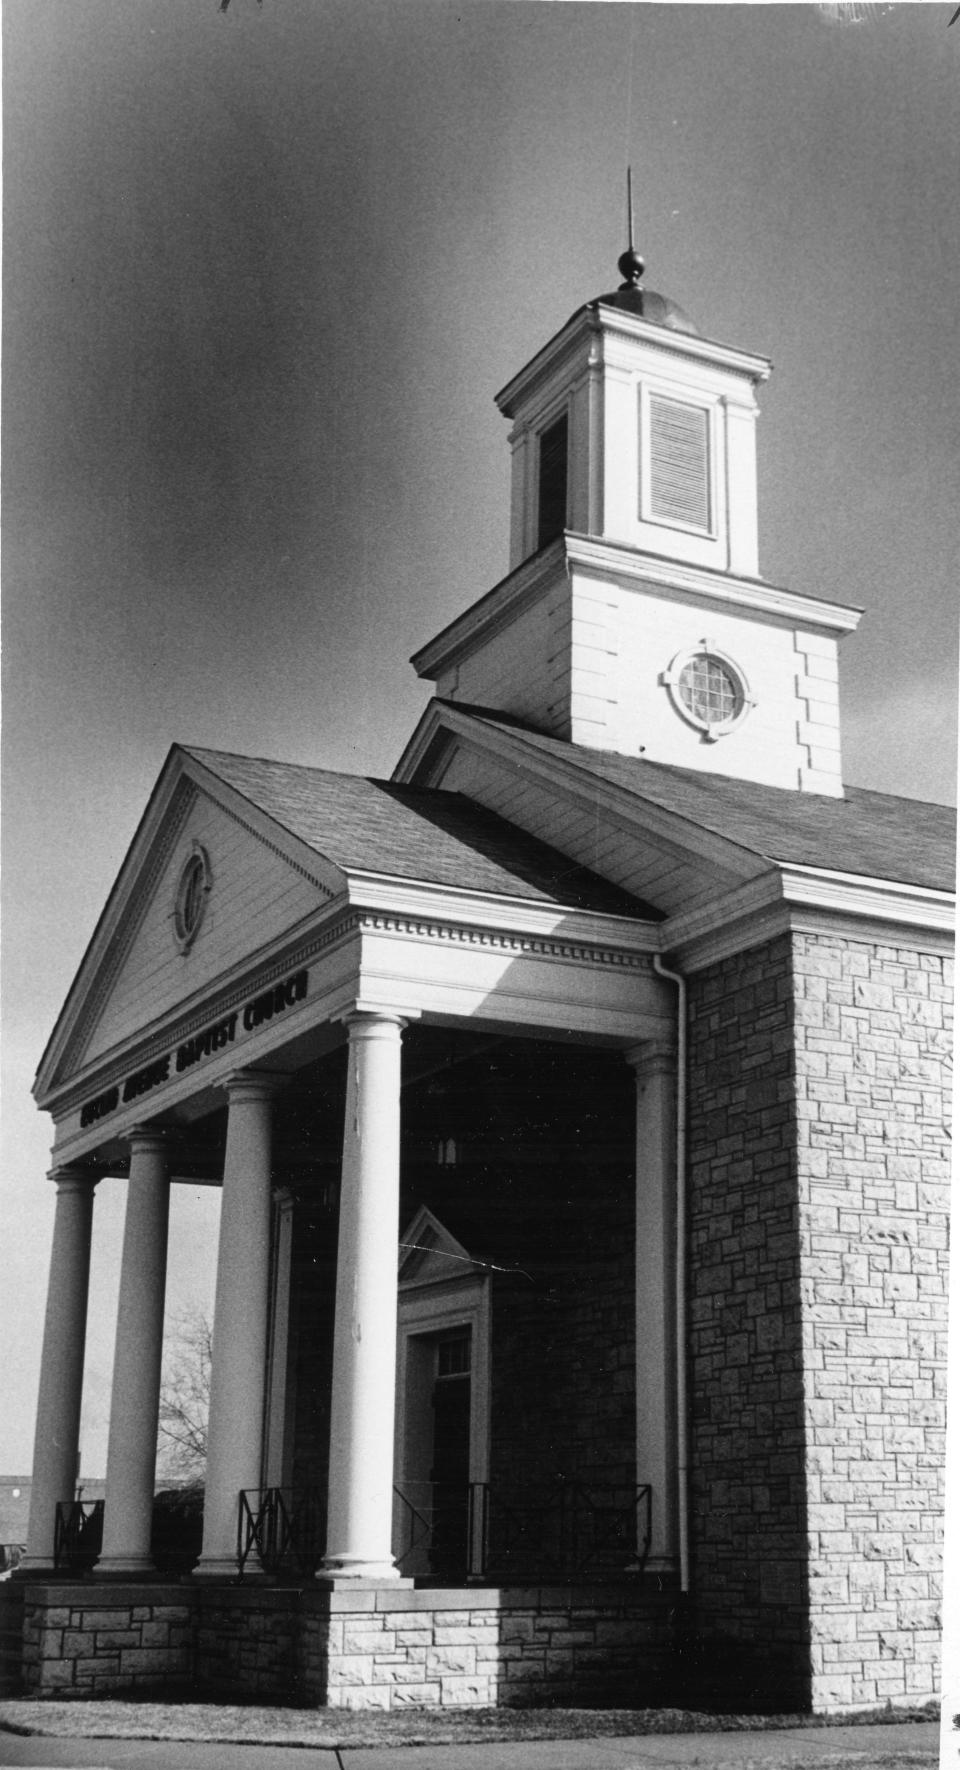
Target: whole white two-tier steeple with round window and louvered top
635,617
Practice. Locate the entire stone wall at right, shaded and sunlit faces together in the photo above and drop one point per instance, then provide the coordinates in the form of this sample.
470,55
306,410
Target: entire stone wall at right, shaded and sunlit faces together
819,1167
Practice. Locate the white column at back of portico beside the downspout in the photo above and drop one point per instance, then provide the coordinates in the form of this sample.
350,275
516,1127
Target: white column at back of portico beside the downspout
656,1258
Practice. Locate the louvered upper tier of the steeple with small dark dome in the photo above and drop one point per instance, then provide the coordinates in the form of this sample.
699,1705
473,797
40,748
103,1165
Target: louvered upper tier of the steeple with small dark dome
631,427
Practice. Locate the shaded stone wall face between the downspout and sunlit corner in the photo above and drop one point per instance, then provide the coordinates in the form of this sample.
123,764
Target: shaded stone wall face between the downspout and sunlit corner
748,1482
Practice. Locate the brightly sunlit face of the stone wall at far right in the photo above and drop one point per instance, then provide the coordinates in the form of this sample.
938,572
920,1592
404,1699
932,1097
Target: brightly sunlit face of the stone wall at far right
872,1098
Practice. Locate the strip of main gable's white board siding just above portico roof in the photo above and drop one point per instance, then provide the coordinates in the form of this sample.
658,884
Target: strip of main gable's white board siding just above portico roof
637,863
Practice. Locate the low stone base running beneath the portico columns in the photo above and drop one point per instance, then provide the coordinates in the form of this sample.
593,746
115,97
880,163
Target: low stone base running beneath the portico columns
373,1649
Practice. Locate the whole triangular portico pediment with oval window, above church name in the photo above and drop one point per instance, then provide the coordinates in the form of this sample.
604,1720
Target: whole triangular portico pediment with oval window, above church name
252,884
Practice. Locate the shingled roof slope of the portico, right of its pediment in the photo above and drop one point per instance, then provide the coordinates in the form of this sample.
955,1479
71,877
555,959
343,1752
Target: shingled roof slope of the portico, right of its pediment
371,826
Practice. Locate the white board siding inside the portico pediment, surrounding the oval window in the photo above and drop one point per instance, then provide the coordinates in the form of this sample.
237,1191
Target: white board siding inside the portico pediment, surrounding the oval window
256,897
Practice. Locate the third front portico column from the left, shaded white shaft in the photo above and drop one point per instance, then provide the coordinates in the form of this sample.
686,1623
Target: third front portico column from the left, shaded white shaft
240,1323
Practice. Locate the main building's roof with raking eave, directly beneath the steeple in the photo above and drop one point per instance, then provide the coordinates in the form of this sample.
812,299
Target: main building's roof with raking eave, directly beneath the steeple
872,835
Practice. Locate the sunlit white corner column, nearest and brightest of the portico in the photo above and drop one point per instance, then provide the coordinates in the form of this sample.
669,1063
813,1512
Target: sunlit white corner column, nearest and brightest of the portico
366,1320
